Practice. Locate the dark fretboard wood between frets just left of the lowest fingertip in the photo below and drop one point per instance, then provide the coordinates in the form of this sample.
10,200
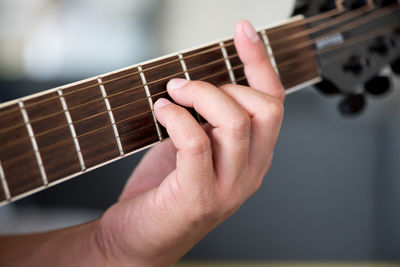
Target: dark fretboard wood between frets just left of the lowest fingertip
131,109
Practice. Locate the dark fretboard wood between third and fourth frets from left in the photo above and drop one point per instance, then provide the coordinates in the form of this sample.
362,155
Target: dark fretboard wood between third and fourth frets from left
92,123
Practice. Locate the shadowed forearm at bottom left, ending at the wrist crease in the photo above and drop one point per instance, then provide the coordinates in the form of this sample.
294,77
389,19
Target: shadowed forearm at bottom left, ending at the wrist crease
75,246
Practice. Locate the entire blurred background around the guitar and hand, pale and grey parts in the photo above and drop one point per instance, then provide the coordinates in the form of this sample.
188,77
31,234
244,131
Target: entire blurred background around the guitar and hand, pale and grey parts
333,192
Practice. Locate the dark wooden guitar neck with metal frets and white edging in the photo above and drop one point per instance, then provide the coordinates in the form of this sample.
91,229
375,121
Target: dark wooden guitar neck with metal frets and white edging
56,135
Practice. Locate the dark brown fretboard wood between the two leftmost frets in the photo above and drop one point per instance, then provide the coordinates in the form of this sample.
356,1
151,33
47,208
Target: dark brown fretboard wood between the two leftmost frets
16,153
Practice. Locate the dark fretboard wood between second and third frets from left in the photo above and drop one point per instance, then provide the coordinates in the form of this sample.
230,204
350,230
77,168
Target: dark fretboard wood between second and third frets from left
53,136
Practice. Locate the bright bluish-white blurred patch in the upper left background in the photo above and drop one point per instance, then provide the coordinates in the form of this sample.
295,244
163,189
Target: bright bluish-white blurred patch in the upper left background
49,39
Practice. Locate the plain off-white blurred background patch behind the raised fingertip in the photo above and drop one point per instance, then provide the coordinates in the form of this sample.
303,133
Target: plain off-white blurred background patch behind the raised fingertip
190,23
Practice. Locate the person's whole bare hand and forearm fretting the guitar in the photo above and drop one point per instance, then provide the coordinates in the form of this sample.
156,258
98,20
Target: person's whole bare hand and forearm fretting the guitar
183,187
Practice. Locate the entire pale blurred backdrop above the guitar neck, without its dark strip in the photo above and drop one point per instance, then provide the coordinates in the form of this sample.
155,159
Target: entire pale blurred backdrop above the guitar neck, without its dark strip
67,39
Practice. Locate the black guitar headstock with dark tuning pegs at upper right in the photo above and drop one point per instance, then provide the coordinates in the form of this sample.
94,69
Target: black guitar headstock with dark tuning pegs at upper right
362,38
